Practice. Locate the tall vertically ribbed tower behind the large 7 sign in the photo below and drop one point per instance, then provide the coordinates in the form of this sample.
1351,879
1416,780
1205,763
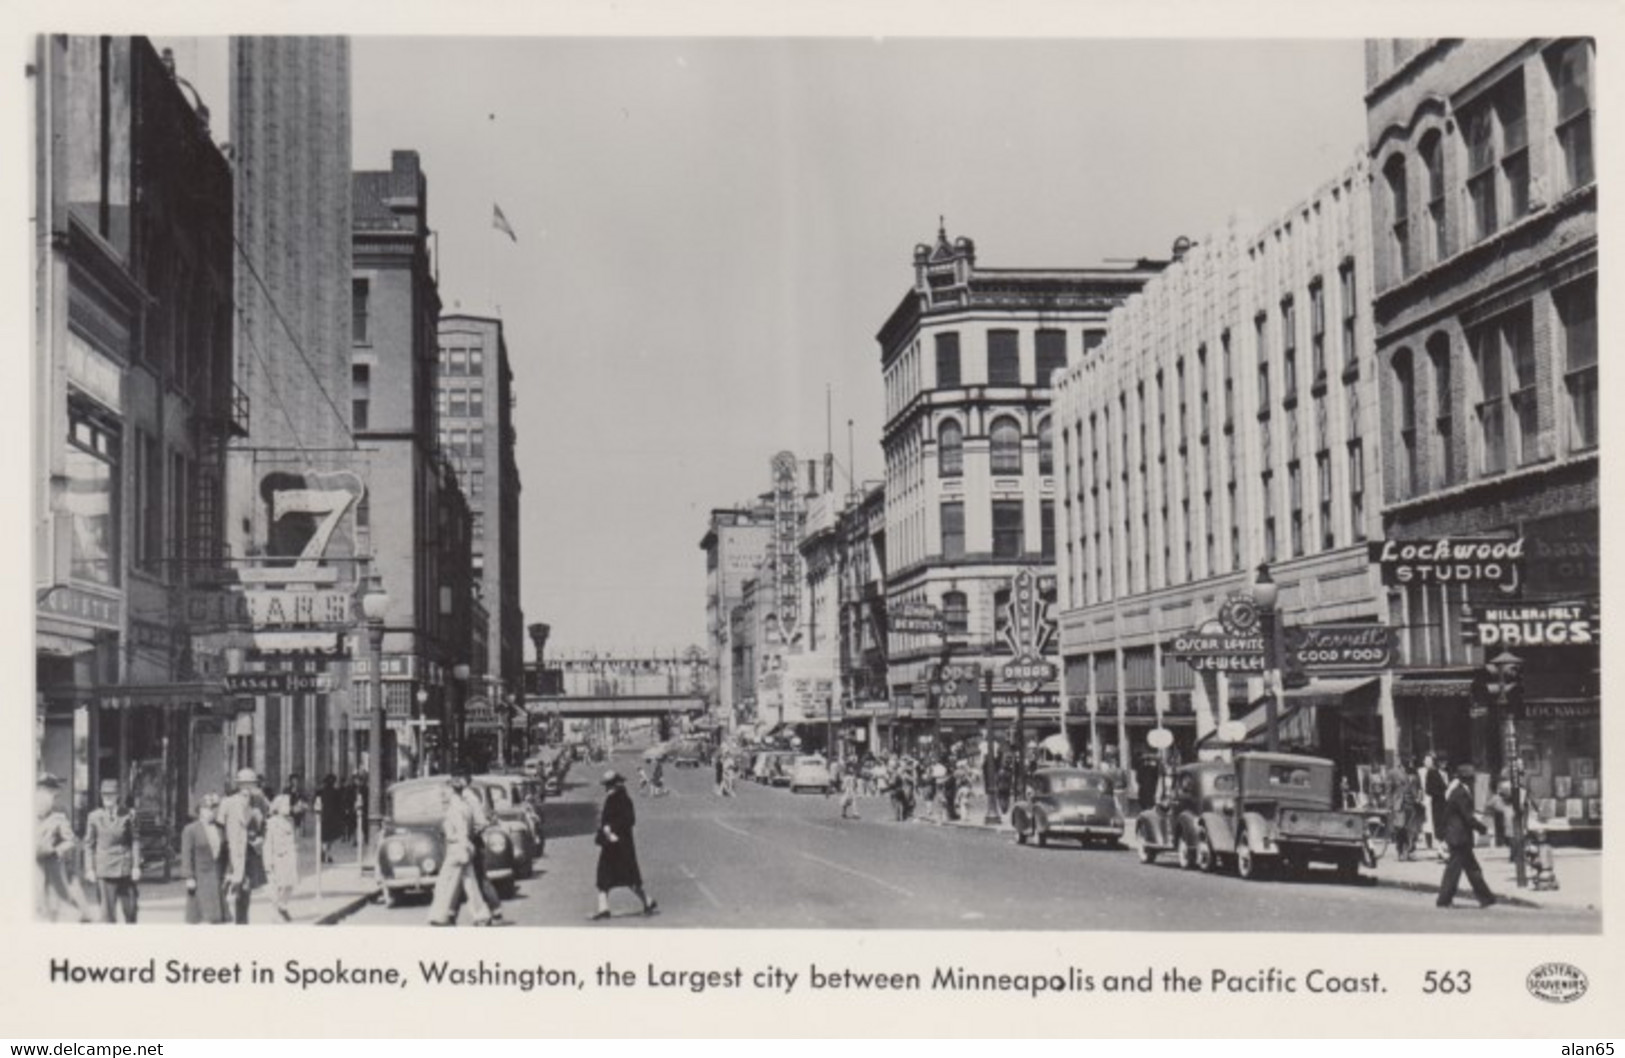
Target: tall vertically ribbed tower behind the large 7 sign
290,145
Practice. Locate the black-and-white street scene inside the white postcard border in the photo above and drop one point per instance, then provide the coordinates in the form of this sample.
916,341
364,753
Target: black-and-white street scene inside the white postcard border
857,483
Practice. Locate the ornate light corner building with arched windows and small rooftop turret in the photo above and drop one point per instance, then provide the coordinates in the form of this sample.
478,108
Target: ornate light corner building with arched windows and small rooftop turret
968,358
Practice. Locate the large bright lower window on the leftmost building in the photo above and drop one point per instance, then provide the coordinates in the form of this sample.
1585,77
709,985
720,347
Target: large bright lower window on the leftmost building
92,493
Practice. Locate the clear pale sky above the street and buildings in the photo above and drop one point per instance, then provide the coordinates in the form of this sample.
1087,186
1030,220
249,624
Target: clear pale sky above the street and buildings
713,232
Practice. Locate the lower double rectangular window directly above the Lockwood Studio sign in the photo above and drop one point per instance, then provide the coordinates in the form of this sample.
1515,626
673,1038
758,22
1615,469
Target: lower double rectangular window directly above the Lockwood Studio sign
1504,355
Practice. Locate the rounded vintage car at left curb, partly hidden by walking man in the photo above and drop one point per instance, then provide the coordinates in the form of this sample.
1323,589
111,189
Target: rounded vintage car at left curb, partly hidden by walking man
412,844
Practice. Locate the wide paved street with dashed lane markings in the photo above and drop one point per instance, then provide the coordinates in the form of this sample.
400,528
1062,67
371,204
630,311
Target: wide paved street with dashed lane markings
769,859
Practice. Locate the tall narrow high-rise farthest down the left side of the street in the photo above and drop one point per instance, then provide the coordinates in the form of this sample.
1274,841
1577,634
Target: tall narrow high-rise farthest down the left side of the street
475,410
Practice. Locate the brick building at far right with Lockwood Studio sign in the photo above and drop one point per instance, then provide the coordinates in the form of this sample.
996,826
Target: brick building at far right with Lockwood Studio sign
1486,227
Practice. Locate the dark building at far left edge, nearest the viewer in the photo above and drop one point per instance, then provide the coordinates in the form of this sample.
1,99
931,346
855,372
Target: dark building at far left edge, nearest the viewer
132,409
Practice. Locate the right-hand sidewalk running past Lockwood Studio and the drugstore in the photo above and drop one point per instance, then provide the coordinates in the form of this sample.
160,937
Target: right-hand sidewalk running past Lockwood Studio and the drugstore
1579,870
